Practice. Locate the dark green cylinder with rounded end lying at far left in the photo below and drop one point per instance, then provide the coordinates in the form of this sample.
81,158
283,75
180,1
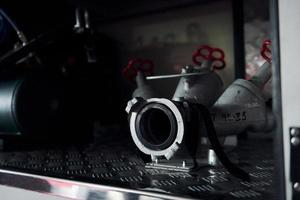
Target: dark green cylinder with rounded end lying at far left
30,105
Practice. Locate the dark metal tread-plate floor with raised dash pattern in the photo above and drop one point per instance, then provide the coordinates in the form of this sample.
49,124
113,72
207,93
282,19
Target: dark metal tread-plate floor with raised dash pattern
121,165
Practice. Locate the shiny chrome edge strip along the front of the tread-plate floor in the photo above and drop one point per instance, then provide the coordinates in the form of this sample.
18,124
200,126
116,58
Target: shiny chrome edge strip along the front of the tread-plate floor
75,189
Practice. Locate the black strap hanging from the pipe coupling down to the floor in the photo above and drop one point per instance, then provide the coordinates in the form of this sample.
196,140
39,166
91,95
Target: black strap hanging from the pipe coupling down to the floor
213,138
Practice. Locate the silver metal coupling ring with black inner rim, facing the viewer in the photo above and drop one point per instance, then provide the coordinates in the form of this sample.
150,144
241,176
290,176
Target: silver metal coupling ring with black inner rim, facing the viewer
172,143
